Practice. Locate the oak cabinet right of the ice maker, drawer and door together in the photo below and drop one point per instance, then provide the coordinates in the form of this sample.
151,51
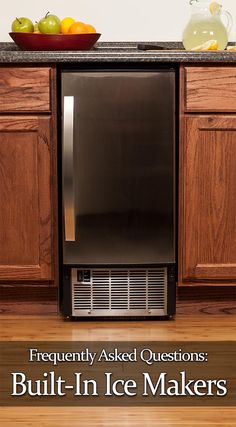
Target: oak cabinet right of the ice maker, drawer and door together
207,175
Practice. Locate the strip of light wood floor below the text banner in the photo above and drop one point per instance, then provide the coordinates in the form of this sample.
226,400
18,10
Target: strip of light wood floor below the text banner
116,417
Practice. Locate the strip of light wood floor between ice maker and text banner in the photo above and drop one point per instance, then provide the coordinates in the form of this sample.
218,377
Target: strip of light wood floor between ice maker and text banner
54,328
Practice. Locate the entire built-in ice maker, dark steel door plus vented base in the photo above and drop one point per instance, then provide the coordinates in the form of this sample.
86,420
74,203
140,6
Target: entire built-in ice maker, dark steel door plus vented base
119,192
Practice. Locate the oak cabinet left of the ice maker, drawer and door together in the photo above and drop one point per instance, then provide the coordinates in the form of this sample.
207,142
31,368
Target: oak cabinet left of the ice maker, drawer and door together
28,177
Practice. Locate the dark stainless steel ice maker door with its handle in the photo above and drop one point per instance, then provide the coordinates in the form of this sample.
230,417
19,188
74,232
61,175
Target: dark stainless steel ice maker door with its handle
118,167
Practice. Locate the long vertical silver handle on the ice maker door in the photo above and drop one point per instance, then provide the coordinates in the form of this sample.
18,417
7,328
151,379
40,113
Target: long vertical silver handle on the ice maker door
68,168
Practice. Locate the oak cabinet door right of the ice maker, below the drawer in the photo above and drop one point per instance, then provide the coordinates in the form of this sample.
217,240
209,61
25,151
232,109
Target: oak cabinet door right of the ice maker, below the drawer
208,211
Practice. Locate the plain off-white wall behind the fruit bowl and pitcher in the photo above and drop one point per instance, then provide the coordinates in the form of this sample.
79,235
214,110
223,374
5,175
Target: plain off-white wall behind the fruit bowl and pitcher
117,20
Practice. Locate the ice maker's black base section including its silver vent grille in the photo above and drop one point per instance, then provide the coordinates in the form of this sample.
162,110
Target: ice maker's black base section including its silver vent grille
119,292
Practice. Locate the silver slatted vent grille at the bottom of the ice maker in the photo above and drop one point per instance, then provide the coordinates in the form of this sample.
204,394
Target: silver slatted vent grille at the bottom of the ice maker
120,292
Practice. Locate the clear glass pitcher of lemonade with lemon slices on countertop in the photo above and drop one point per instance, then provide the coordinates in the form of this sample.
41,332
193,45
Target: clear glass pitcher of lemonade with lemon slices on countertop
205,28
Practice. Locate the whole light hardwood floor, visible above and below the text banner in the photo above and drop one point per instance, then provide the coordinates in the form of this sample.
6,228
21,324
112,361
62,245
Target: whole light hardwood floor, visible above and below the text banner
51,328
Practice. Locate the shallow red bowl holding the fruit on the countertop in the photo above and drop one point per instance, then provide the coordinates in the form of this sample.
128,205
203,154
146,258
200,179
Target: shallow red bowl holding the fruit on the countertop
37,41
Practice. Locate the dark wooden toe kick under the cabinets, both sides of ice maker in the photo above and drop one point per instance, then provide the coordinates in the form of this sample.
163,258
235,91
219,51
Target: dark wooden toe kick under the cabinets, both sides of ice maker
36,299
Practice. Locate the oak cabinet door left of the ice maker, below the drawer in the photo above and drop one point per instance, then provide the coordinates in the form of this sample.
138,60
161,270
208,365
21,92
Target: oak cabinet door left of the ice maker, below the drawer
25,198
